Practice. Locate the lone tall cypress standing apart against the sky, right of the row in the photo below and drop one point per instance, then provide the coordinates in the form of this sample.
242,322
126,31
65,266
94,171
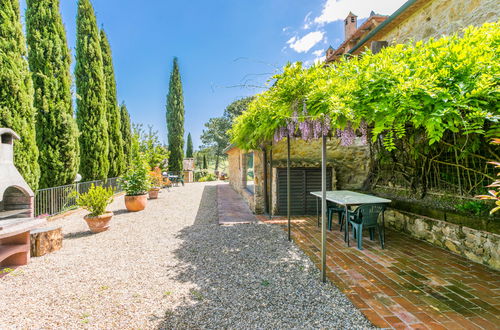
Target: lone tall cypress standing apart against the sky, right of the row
175,119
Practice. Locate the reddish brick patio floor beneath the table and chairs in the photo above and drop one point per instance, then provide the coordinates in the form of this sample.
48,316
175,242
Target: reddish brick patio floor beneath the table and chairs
409,284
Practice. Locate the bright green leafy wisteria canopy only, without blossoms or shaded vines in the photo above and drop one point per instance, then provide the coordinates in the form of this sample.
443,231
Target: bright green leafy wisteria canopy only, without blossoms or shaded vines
448,85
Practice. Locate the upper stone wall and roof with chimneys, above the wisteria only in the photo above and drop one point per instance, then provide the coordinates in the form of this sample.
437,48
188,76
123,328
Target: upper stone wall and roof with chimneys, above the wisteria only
415,20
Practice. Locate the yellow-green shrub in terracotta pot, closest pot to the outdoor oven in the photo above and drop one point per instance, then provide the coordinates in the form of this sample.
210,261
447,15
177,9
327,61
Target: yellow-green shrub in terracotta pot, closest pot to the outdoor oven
95,201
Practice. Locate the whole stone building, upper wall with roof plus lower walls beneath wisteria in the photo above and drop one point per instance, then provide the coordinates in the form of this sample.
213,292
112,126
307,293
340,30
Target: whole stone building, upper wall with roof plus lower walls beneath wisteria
263,184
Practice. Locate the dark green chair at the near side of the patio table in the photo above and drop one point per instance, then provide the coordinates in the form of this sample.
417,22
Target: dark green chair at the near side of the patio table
365,217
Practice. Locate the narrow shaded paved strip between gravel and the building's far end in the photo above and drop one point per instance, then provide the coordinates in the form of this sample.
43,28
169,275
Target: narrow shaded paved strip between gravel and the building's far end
231,207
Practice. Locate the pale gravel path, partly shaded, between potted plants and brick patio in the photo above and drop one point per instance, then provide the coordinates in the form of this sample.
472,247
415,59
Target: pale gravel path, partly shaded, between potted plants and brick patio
171,266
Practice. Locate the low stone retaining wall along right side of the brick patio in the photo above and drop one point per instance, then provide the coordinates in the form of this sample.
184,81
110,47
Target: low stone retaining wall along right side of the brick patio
476,245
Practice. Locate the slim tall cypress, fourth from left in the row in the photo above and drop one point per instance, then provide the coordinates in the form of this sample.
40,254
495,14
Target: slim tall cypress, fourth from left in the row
116,160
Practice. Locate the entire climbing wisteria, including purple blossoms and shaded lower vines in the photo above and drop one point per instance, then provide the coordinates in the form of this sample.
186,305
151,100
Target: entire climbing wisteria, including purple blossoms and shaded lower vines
419,97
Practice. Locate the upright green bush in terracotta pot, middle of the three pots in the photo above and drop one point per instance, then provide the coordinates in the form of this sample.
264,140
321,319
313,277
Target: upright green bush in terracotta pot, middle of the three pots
136,184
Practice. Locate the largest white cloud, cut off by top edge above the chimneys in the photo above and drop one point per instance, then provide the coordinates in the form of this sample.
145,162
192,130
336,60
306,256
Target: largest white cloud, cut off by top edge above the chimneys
334,10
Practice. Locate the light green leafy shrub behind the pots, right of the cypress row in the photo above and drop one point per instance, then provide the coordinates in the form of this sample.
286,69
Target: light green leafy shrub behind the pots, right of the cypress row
152,151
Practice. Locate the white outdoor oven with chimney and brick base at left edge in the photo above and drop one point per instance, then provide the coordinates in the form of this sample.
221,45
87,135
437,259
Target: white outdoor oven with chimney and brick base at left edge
16,207
